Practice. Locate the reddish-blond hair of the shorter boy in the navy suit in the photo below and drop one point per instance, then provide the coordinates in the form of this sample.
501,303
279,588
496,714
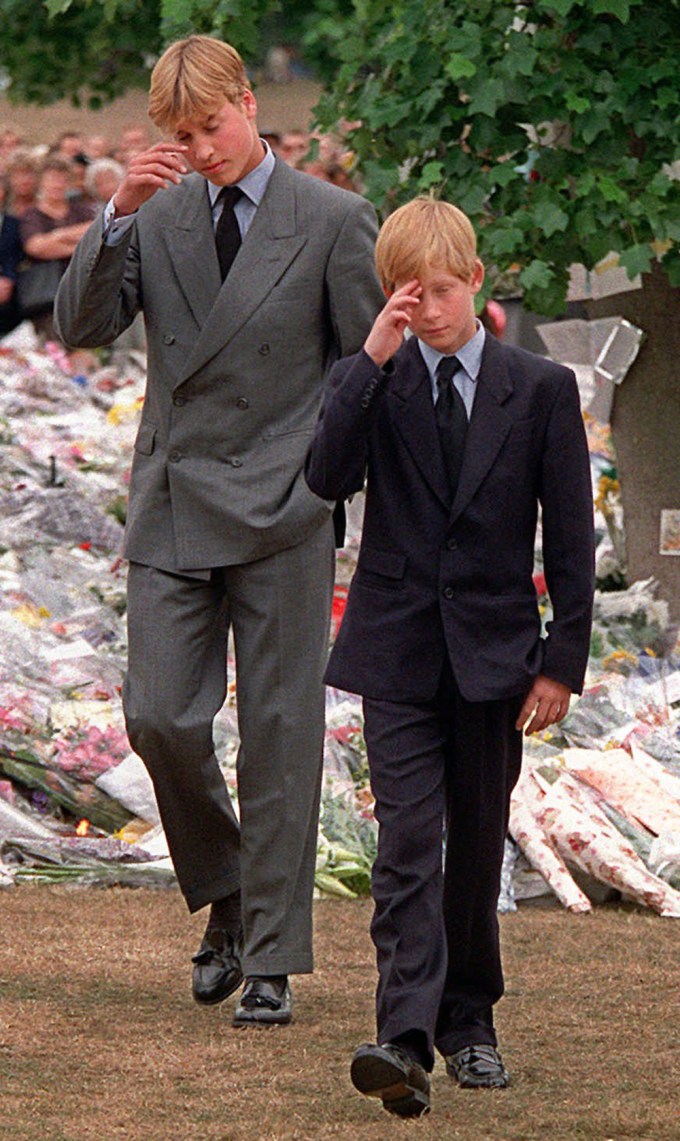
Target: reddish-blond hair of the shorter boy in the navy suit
426,234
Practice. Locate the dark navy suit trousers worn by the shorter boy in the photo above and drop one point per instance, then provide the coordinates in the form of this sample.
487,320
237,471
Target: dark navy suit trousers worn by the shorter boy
441,771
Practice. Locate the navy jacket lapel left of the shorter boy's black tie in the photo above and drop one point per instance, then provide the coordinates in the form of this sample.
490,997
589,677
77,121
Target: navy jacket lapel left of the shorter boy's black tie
414,416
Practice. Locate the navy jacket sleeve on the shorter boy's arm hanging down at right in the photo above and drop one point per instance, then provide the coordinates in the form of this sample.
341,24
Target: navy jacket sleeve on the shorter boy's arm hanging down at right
569,540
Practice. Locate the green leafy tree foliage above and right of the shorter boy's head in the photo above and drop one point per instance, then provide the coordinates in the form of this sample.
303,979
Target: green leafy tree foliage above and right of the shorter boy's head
552,124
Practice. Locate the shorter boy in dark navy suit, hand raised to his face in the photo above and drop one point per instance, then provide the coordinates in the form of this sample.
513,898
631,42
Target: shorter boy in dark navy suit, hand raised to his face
460,440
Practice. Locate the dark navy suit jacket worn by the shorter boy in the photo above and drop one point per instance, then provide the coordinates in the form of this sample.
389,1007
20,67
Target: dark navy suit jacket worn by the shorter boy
435,579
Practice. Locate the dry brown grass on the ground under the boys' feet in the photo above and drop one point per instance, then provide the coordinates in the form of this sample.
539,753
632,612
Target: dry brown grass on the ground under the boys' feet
100,1037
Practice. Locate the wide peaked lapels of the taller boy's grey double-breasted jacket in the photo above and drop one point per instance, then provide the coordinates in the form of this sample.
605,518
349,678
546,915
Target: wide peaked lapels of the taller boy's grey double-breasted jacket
271,246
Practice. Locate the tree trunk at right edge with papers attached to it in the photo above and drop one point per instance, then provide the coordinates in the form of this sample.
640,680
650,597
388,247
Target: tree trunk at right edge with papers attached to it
646,430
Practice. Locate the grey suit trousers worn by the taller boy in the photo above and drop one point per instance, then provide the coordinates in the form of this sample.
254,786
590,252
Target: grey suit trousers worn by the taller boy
279,610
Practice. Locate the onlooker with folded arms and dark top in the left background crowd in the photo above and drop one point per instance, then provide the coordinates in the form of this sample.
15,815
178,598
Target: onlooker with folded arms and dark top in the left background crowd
51,231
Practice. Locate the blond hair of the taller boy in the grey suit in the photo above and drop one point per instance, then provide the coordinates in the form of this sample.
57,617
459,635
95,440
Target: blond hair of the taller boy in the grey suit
193,78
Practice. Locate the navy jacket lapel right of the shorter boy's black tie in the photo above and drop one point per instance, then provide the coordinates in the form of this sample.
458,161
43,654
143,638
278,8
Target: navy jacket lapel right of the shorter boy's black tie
490,424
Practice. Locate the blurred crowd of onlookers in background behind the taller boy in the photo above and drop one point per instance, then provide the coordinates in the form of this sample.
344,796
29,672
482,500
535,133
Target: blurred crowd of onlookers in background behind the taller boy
50,195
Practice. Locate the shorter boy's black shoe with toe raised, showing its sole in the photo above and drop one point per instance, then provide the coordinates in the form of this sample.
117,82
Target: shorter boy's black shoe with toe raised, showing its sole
390,1074
